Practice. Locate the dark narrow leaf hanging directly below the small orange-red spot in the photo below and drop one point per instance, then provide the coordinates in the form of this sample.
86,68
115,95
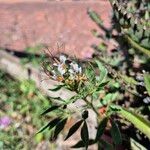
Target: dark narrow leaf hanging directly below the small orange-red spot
101,128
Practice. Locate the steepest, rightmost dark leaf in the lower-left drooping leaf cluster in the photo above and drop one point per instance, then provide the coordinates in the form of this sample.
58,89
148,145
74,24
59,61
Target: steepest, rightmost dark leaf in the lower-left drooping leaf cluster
59,127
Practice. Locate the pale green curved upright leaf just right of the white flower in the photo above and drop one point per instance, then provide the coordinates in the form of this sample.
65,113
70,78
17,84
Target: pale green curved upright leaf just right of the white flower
103,71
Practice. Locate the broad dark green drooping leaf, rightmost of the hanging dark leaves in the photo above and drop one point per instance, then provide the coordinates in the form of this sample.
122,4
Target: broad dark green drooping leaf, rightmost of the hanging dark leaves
115,133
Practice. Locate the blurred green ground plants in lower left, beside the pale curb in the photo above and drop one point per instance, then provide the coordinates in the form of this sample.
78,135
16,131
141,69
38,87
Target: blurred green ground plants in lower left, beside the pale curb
21,102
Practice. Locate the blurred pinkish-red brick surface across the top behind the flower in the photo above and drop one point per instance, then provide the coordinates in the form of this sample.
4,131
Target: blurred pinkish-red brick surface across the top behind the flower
29,23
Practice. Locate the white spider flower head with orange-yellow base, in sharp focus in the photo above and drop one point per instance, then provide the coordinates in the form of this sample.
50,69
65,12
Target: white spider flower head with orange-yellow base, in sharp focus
67,71
